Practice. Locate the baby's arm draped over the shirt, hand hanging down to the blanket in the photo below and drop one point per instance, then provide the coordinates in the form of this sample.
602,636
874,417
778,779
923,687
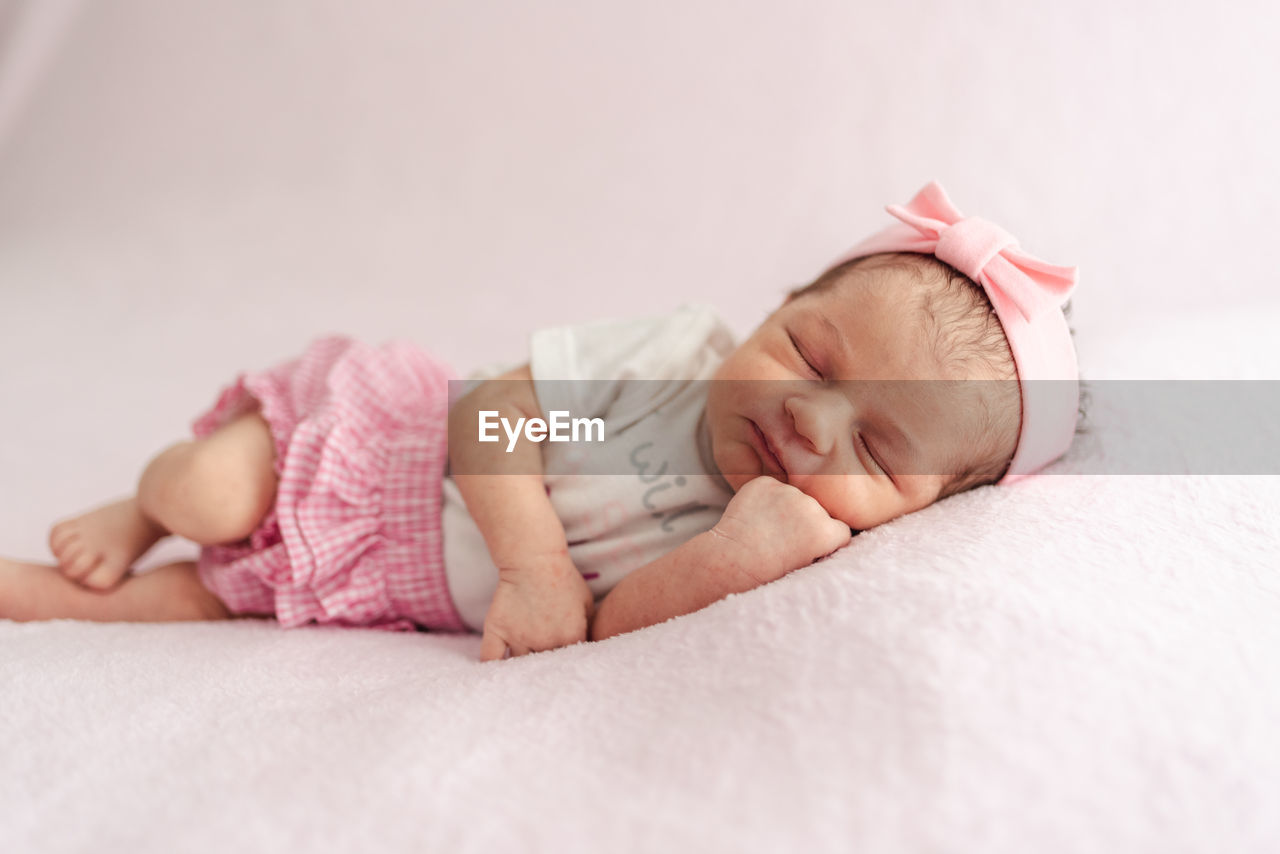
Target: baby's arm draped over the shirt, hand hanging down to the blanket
542,601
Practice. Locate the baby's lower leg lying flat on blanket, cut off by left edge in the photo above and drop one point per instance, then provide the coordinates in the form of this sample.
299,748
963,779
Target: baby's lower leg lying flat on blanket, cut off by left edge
173,592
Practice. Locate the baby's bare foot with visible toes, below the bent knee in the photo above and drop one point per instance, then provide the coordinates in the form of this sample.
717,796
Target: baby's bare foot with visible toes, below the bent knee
99,547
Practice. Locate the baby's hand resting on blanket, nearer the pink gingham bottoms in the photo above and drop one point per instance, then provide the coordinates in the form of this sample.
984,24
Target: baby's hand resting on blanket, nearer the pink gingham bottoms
542,605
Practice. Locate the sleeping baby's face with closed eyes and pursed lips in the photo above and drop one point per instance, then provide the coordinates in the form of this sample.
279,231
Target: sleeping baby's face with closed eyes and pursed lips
867,451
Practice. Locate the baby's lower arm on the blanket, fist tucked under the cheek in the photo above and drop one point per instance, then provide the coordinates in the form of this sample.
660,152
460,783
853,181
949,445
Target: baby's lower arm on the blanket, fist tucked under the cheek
767,531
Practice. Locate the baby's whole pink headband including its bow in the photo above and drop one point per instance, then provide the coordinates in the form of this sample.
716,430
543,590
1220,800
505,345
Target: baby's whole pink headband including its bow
1027,295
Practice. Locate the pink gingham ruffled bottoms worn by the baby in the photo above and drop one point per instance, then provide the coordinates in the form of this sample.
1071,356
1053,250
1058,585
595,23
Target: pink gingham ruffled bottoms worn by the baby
354,540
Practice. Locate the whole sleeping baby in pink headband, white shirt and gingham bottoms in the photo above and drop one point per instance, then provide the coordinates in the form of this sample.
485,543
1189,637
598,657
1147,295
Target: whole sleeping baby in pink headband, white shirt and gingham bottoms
629,473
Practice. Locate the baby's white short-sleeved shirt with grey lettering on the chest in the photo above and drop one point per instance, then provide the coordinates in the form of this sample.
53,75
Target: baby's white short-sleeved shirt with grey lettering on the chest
648,380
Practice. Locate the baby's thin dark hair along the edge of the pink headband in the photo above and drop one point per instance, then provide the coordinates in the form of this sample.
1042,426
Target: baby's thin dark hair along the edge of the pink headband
964,332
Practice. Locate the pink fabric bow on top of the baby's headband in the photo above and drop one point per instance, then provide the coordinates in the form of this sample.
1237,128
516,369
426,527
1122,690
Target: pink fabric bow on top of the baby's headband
986,253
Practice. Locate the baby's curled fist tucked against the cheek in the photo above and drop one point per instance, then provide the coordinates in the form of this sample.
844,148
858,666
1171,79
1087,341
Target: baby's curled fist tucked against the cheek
771,528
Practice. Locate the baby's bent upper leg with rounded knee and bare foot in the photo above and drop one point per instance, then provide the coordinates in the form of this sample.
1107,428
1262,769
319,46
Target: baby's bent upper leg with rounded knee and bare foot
211,491
